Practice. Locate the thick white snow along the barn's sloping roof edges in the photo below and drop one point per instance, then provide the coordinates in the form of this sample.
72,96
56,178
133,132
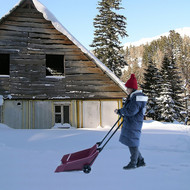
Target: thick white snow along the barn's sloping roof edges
50,17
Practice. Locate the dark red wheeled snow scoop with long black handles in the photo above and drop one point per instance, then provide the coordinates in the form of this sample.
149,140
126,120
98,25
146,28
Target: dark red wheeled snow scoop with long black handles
83,160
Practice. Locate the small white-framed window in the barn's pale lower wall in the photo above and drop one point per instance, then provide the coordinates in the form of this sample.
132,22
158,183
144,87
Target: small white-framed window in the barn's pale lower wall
62,114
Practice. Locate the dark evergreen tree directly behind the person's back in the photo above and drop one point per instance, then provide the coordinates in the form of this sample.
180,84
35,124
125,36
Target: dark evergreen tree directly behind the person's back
151,87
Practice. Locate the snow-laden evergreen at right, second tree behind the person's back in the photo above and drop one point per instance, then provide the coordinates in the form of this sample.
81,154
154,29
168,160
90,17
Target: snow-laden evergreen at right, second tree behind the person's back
171,90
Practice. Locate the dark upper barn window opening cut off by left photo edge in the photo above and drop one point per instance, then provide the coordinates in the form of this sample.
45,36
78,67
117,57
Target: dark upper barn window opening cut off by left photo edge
4,64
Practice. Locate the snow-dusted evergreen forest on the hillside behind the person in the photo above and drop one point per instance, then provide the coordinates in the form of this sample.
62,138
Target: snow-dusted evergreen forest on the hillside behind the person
162,70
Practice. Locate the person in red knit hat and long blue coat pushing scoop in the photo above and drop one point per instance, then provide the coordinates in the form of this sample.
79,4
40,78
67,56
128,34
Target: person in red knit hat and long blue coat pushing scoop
133,113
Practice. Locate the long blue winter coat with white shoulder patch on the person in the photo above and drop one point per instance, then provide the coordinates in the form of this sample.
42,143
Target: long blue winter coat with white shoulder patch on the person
133,114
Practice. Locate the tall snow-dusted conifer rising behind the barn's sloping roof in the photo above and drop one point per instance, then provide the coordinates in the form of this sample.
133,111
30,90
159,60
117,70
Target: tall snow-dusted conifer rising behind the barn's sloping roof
109,27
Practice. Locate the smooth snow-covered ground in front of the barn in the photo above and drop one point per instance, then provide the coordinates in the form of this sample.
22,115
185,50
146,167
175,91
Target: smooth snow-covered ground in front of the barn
28,159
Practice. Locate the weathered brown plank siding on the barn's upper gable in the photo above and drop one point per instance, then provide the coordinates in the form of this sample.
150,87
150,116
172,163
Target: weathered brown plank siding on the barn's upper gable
28,37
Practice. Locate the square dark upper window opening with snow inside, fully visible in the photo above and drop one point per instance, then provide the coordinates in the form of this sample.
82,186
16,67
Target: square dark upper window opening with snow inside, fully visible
55,65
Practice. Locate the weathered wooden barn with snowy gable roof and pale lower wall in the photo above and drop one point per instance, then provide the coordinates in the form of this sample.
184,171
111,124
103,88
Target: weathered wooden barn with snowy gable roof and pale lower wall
47,77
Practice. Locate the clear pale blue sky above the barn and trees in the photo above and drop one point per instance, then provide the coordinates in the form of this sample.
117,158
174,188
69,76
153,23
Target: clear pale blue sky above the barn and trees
145,18
